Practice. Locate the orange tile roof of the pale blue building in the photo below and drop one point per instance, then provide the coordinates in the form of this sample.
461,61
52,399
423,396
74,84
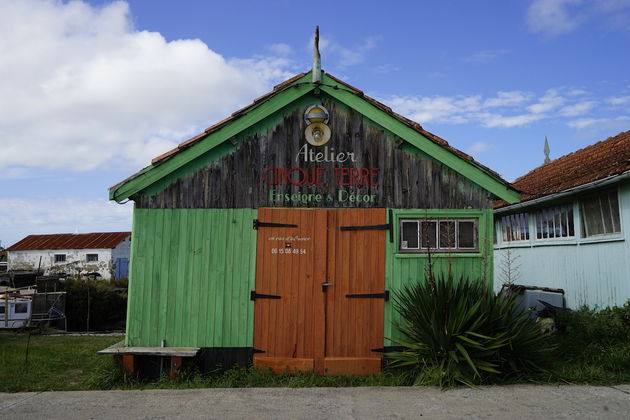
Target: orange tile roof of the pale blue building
595,162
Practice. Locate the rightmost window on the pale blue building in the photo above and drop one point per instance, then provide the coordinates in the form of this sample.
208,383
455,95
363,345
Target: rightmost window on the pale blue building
600,214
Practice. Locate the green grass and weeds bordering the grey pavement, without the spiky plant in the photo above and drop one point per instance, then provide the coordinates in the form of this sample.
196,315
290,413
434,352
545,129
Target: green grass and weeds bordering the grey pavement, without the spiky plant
593,348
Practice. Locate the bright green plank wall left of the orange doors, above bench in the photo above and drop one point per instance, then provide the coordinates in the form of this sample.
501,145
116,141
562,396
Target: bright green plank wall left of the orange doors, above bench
190,276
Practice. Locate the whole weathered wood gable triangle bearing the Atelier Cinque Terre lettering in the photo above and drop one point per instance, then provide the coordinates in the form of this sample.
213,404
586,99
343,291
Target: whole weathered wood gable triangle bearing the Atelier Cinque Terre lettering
270,166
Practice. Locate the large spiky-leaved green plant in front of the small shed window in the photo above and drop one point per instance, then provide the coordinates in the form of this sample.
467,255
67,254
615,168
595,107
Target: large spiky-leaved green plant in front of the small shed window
459,332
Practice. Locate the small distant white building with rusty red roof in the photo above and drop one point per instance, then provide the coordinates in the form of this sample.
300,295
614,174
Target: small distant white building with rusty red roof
73,254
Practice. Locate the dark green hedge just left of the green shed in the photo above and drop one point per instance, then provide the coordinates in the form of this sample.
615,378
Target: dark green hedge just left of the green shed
107,308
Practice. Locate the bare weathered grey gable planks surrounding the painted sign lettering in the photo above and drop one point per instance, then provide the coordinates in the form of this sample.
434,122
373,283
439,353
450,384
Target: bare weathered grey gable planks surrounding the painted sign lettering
371,145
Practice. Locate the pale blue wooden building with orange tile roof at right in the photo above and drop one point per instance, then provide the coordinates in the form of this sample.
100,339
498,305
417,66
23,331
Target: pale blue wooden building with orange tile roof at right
571,230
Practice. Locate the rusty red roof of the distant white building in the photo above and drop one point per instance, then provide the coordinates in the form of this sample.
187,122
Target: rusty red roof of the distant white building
70,241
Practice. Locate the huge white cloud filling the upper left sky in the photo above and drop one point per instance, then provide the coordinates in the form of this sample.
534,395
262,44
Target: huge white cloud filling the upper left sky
87,90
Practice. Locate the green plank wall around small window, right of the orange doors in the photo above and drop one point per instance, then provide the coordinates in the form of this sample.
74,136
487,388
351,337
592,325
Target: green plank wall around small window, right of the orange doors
403,269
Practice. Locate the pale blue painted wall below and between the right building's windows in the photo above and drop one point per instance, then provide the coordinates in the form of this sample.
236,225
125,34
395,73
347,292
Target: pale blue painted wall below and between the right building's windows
593,272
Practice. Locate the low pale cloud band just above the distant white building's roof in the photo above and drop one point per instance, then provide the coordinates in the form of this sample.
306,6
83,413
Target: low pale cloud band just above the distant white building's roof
20,217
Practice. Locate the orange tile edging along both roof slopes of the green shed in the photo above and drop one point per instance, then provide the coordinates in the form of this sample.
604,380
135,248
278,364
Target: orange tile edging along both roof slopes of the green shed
412,124
